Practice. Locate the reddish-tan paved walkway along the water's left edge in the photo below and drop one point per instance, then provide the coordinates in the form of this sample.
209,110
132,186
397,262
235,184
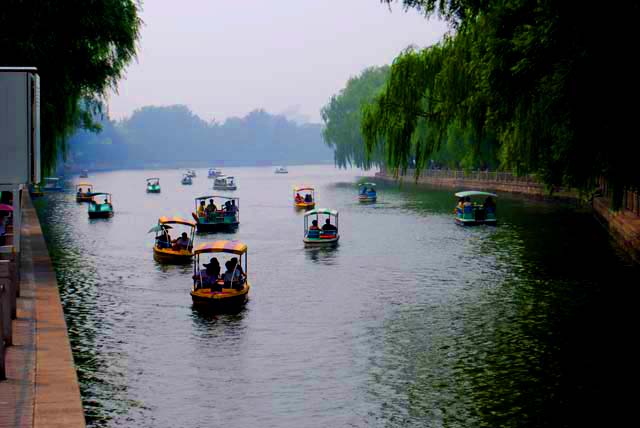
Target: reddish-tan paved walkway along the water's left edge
41,389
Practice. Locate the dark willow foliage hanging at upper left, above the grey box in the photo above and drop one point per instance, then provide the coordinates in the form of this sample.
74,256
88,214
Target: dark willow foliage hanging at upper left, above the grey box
81,49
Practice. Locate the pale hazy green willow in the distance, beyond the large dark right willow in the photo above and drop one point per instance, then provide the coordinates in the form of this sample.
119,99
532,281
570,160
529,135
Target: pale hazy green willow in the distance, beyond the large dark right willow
342,116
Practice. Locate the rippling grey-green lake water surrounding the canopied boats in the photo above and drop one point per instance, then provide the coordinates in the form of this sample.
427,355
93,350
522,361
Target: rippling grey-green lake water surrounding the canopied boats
411,321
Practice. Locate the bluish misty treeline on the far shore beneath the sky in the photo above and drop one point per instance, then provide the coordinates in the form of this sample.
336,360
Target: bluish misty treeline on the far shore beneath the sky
174,136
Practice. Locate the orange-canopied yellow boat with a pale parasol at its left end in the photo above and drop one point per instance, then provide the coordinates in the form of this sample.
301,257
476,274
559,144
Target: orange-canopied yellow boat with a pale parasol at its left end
164,250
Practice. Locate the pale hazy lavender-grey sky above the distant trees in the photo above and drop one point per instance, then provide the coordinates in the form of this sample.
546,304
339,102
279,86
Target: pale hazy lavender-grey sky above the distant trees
224,58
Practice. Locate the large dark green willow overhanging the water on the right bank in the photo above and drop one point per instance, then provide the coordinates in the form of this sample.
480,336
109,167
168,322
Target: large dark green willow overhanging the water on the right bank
549,82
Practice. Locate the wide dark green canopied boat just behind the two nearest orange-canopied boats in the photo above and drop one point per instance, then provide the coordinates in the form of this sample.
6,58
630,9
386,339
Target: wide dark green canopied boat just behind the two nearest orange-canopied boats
226,216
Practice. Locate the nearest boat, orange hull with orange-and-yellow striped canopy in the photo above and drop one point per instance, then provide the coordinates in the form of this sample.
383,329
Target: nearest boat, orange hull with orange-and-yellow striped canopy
215,292
